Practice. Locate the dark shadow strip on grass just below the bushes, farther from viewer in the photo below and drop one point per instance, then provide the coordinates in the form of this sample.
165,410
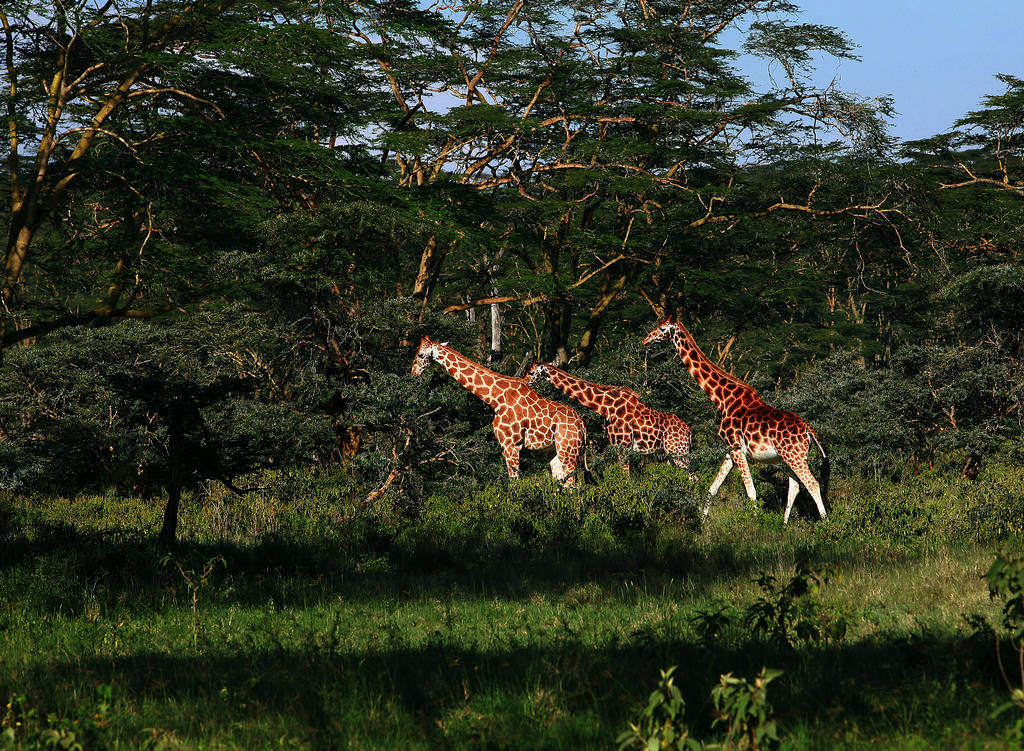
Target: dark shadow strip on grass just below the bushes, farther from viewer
59,568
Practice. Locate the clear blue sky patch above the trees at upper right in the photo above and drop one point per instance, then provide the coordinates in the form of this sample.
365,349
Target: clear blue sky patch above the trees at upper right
937,59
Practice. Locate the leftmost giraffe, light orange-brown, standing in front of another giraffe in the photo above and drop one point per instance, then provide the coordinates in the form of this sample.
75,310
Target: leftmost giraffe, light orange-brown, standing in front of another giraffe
523,418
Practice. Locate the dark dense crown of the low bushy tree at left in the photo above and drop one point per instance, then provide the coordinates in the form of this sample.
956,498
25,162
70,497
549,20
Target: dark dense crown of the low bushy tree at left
106,405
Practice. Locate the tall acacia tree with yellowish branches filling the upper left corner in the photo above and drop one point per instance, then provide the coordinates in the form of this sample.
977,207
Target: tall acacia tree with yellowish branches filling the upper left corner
146,139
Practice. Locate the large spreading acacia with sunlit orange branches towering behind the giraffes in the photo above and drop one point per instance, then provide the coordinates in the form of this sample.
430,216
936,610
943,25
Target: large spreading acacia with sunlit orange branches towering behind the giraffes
611,138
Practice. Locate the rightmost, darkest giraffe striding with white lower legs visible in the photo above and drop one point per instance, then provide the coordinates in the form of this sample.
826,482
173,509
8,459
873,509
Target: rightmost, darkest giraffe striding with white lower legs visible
752,430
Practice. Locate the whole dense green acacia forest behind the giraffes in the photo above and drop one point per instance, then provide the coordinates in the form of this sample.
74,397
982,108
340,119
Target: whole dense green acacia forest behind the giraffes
229,225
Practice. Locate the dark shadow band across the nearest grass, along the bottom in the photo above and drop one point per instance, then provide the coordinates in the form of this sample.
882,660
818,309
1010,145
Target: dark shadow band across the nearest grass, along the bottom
554,697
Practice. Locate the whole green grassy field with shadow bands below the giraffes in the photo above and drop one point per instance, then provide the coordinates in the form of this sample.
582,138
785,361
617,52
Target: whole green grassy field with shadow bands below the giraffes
499,617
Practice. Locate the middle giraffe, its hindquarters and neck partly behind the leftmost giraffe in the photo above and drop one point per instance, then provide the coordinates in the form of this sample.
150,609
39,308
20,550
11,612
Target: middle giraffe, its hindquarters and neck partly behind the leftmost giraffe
629,423
